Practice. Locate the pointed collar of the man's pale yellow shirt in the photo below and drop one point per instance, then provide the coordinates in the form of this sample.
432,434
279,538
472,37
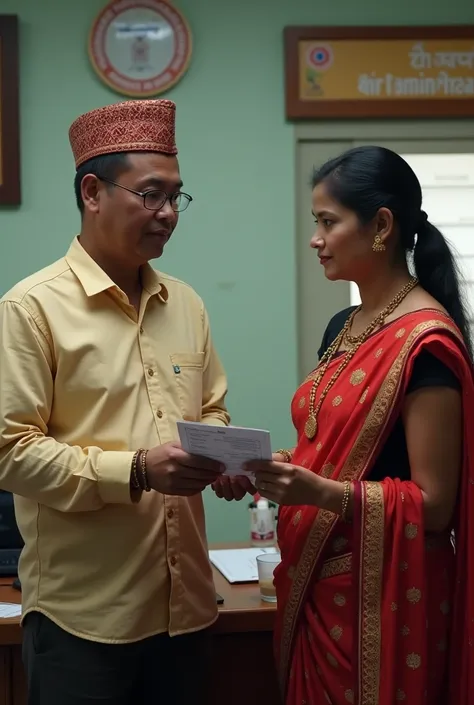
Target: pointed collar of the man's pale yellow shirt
94,280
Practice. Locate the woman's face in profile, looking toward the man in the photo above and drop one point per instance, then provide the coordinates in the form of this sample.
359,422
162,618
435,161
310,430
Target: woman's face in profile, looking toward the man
344,245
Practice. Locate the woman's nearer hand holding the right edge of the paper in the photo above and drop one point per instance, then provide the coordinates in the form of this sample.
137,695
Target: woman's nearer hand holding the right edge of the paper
285,483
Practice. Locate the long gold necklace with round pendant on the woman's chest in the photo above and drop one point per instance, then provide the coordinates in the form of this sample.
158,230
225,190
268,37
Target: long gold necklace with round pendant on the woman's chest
311,425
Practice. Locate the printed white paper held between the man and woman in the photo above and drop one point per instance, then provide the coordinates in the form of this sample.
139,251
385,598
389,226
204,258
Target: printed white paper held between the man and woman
230,445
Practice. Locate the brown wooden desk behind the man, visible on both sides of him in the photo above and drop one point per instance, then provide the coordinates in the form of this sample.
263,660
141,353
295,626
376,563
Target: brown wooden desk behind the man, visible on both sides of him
243,672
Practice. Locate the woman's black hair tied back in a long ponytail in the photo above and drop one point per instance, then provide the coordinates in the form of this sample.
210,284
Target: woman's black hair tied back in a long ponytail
367,178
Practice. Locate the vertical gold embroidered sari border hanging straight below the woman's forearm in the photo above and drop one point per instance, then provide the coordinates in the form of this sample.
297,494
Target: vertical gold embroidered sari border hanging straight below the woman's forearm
370,586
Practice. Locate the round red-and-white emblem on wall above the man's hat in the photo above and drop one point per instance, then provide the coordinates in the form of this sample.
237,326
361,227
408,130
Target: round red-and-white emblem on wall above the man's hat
140,48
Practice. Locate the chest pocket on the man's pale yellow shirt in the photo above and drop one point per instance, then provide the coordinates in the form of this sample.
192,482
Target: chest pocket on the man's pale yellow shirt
188,371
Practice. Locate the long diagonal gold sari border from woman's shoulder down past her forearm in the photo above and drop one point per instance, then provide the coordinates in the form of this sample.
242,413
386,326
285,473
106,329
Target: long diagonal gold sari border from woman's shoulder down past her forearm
353,469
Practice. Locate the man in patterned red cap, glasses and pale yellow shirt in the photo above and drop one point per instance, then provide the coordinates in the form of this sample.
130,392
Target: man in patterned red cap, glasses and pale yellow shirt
101,356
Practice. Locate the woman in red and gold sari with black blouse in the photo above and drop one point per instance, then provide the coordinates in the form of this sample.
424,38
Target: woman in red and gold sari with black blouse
374,605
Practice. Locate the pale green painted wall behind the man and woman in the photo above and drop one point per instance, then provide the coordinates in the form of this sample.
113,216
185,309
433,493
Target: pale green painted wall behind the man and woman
235,243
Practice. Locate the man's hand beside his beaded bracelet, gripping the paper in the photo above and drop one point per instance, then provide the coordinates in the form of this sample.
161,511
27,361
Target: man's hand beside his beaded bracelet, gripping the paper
172,471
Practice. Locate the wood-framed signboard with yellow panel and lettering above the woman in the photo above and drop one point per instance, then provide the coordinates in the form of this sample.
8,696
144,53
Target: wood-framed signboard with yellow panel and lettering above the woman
379,72
